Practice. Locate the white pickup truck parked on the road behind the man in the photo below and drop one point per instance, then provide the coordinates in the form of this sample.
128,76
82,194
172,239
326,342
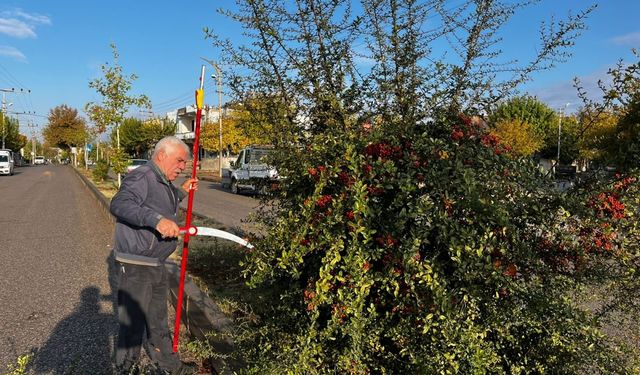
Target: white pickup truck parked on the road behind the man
251,170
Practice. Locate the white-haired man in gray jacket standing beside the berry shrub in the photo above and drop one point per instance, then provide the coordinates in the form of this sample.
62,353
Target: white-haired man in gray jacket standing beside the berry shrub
146,209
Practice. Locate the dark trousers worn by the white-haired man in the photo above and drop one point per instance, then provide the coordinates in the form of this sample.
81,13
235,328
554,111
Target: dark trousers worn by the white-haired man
142,316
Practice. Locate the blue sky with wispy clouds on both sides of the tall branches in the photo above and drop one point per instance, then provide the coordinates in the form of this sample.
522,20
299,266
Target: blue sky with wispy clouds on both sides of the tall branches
54,48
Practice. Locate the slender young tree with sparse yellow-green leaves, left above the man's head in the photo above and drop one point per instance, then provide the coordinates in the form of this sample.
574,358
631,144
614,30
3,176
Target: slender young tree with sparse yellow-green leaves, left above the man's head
114,88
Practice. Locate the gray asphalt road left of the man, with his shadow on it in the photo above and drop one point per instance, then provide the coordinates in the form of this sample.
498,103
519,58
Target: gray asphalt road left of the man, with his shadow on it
56,299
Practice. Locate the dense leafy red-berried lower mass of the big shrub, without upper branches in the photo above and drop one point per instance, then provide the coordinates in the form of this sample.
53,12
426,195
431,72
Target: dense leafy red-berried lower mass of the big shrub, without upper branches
430,249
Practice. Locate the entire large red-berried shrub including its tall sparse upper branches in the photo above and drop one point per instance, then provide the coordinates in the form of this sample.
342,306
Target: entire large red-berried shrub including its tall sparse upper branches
403,239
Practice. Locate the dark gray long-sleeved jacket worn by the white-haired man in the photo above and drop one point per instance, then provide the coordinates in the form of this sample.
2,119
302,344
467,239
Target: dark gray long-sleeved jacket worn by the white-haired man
145,197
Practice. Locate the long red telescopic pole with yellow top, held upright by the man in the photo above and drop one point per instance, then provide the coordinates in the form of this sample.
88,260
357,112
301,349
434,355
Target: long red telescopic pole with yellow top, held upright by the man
185,246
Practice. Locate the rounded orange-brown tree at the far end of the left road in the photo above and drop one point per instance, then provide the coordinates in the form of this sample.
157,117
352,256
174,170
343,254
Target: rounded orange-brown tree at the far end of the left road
65,129
